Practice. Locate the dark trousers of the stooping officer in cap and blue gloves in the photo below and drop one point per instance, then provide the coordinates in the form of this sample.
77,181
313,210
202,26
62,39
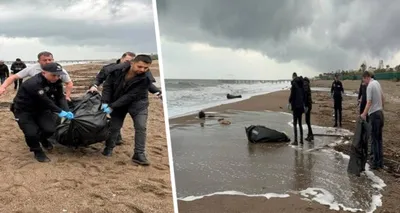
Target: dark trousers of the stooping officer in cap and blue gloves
37,127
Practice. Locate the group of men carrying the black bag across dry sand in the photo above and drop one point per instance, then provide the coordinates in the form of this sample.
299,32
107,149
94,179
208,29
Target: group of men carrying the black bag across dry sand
41,98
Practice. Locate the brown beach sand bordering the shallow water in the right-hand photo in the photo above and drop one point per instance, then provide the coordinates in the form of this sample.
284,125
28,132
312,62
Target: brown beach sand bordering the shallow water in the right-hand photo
321,116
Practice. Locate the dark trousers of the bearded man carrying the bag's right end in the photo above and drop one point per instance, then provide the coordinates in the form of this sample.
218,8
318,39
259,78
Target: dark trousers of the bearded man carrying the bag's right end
139,123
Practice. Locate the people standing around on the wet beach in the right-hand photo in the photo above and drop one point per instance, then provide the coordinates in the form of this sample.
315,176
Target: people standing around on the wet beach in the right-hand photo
370,100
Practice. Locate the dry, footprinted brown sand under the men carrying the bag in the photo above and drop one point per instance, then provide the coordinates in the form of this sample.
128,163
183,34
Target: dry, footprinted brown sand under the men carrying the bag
84,180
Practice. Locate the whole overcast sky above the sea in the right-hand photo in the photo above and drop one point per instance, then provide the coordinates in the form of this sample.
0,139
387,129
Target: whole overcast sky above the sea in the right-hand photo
270,39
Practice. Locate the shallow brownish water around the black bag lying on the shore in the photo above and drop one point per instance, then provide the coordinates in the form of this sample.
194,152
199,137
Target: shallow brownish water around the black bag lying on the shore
217,158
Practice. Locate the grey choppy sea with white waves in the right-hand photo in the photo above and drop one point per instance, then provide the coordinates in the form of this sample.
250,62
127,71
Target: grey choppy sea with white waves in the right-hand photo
188,96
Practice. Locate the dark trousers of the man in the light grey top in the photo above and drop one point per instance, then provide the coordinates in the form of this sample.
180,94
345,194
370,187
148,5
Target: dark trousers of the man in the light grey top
377,123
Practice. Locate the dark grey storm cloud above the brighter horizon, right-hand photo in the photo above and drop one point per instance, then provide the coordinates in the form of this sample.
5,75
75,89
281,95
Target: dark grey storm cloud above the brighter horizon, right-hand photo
321,33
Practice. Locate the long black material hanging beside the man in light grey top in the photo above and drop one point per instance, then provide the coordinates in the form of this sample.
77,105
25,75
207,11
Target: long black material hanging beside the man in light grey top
359,148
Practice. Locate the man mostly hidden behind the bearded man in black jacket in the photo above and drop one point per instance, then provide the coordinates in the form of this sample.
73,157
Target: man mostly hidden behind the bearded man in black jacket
122,63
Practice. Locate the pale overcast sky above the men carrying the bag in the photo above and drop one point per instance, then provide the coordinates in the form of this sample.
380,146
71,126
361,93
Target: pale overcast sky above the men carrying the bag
75,29
